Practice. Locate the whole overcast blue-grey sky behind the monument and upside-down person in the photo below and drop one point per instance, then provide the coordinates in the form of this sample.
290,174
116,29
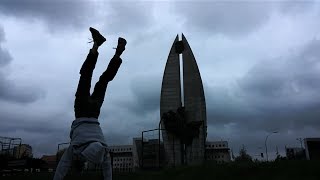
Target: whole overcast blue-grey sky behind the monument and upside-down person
259,62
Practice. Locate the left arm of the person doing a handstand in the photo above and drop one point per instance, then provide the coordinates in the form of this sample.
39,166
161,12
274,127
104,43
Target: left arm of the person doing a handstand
64,164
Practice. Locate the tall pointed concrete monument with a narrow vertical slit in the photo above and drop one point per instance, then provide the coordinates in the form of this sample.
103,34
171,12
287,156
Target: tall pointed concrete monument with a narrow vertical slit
188,88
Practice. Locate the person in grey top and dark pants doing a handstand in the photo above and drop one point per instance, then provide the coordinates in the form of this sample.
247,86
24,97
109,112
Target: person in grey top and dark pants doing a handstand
87,139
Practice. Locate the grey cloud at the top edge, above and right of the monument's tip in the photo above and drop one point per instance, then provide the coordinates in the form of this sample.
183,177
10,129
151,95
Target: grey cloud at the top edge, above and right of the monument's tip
233,18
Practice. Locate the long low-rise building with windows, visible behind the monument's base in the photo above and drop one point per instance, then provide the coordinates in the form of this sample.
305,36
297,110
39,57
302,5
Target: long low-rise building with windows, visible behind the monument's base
146,154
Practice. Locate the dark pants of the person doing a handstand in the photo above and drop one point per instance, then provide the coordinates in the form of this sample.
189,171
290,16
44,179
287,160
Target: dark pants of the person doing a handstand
86,105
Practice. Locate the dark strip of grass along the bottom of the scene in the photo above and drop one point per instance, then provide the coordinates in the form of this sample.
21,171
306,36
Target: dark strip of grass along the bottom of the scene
284,170
